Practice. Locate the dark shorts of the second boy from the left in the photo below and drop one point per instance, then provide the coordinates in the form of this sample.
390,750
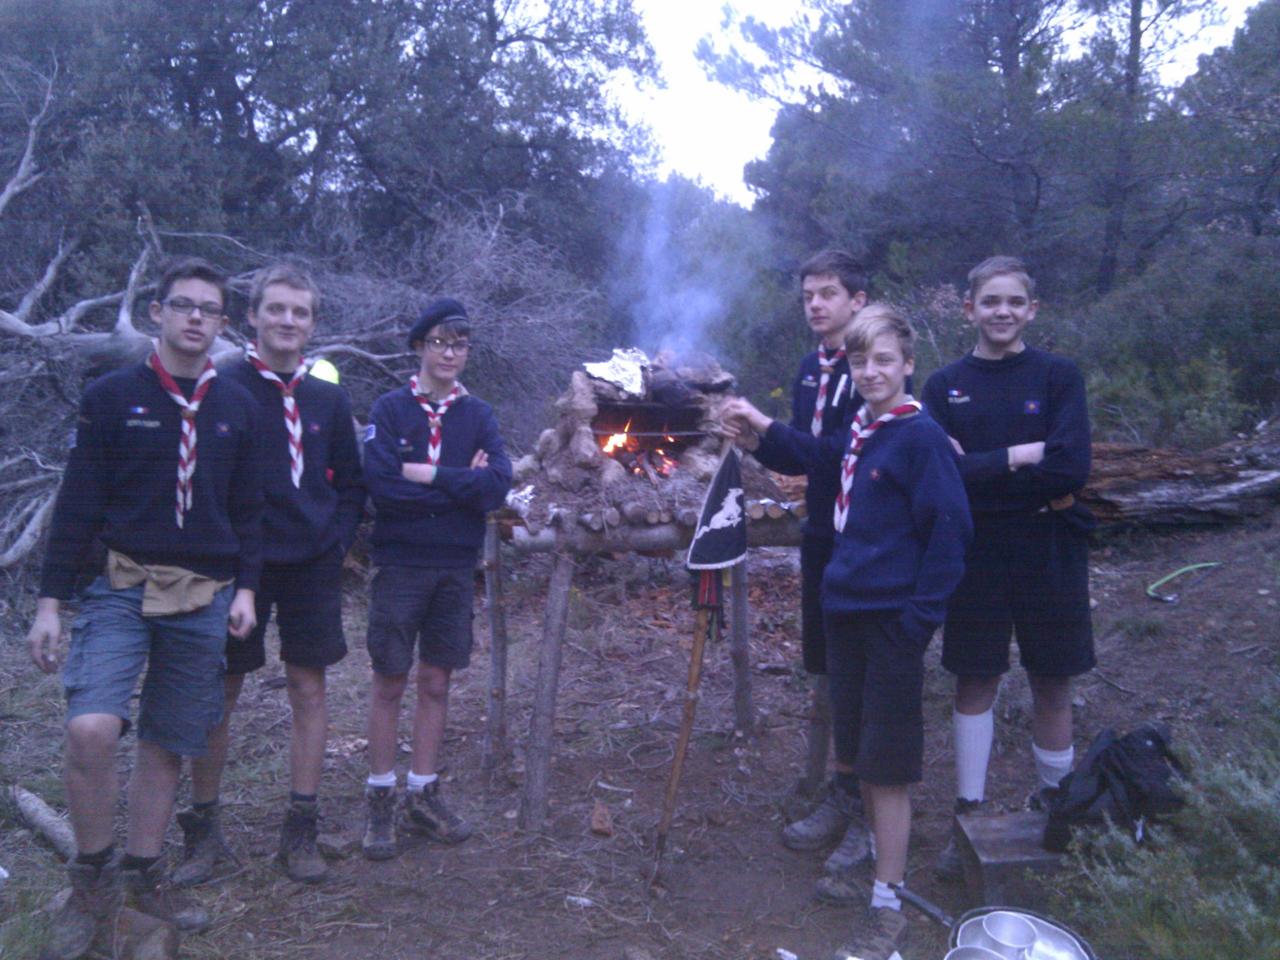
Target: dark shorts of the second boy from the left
308,601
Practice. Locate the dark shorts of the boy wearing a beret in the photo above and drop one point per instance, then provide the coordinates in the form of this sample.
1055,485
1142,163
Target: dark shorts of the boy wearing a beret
423,607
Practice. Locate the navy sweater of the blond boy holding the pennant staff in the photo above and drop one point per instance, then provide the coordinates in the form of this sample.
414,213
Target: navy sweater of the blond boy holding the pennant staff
908,529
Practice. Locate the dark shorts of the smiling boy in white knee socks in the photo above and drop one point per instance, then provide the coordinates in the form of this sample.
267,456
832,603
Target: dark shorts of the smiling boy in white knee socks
1027,575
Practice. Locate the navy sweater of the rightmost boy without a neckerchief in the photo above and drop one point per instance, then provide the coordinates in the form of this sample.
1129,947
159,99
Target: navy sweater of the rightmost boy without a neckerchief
991,405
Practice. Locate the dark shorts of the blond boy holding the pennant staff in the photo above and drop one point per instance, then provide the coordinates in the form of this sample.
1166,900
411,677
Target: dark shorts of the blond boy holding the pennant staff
877,691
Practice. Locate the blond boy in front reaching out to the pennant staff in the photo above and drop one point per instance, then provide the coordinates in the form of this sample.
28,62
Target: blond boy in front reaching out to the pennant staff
902,529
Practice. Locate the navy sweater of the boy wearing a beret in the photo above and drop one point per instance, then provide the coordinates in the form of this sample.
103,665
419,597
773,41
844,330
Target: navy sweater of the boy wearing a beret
438,524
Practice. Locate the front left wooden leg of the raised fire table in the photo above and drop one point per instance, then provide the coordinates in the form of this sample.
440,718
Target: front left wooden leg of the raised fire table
538,751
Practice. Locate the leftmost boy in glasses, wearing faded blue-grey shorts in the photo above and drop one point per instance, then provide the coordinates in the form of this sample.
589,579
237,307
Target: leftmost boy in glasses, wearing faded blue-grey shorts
166,474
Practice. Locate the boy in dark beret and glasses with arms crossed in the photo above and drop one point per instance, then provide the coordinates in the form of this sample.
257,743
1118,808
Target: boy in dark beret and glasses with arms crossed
435,464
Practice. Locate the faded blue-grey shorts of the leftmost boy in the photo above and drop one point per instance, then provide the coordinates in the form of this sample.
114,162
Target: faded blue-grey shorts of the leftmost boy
113,644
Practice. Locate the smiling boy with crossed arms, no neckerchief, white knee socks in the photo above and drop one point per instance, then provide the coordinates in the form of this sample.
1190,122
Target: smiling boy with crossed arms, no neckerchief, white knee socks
1018,419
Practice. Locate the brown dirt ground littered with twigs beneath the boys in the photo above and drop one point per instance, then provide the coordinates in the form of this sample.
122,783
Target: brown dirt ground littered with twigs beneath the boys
1204,665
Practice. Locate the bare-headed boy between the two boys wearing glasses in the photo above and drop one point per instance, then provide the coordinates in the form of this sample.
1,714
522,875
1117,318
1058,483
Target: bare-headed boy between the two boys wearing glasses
314,499
